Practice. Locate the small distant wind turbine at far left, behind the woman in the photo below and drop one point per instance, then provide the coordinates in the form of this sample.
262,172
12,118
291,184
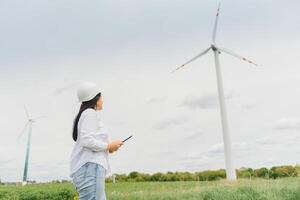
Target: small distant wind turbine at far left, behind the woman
30,124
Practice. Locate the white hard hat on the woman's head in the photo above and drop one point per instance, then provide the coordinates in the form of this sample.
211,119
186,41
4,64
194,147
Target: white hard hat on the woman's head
87,91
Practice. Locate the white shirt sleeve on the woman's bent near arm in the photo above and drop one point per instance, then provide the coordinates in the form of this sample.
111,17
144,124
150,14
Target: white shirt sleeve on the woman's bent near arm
88,129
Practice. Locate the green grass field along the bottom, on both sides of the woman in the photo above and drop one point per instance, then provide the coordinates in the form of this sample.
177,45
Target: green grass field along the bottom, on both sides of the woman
259,189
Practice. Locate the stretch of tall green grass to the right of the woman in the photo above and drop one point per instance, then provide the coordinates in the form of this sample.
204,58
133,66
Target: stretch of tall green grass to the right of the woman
259,189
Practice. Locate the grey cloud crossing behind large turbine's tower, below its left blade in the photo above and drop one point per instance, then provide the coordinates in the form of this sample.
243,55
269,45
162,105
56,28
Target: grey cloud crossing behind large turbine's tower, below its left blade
206,101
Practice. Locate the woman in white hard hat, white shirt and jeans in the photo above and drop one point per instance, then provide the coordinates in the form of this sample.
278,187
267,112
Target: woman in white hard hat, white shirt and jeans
89,159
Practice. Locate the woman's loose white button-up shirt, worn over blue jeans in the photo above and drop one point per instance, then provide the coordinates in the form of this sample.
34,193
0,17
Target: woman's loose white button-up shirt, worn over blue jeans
91,143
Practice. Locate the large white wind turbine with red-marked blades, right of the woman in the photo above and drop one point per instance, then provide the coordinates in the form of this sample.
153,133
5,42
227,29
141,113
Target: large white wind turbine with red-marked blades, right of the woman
230,170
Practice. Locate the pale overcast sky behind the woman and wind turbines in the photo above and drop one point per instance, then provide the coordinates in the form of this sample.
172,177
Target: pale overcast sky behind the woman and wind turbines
129,48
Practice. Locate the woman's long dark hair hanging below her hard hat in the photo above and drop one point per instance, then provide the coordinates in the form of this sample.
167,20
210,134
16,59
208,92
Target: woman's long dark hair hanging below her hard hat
84,105
